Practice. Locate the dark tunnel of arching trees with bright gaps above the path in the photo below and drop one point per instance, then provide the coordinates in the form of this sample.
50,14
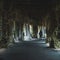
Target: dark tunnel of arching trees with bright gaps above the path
21,21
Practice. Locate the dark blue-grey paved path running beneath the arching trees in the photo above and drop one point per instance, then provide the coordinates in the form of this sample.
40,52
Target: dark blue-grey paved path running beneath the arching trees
34,50
